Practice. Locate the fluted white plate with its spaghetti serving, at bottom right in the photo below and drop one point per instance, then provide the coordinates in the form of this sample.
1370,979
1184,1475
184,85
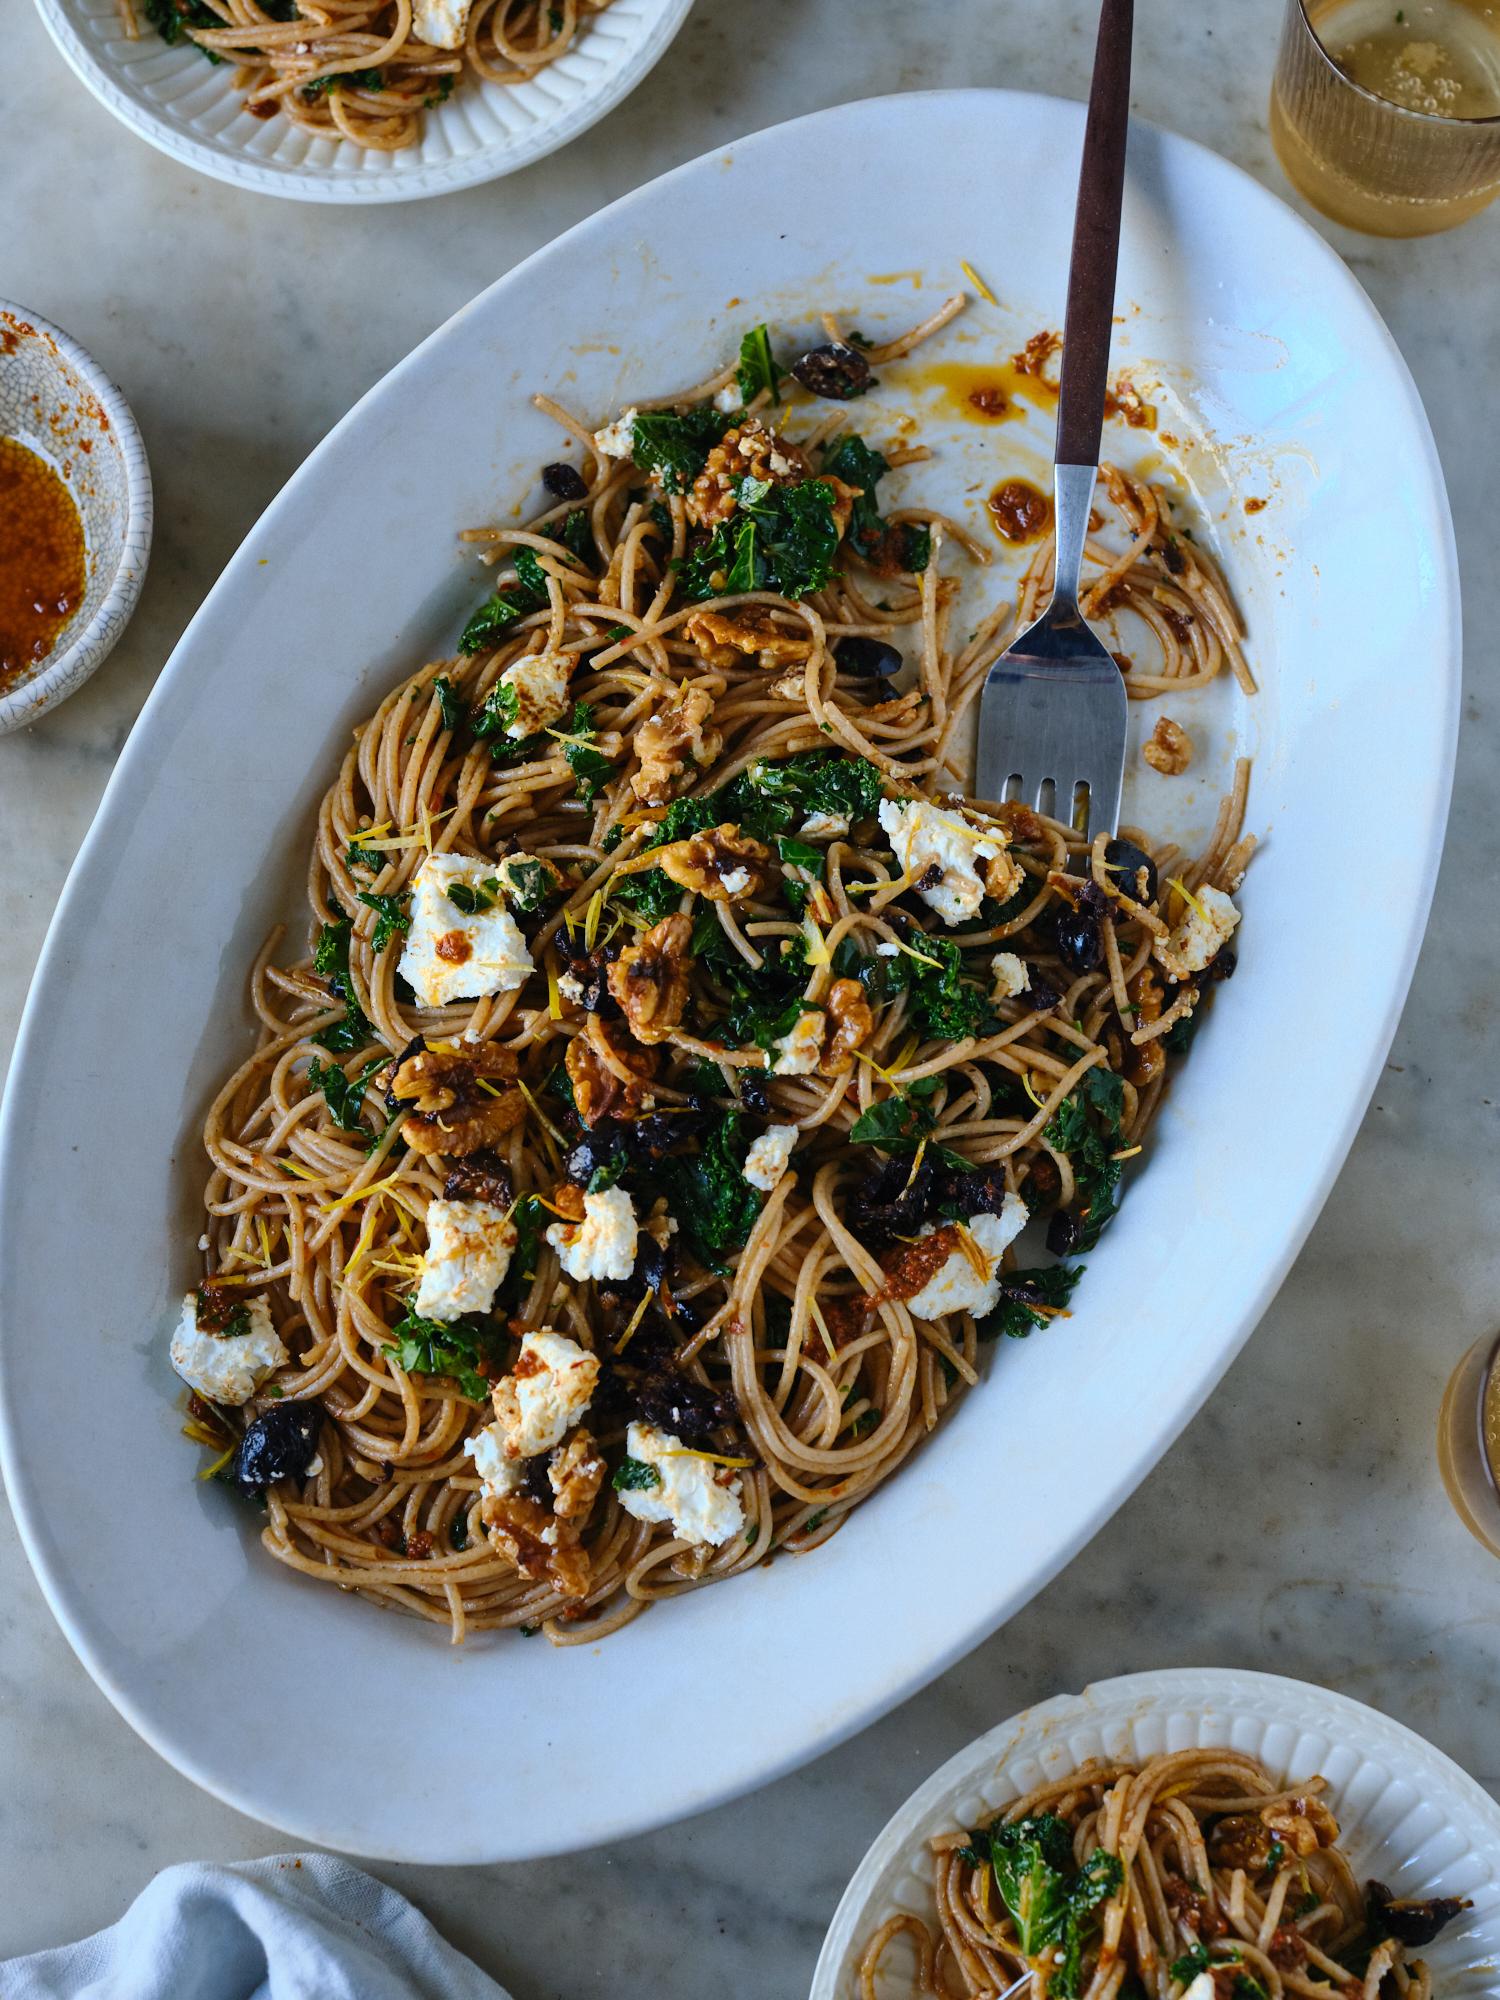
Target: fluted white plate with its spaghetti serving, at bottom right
1195,1835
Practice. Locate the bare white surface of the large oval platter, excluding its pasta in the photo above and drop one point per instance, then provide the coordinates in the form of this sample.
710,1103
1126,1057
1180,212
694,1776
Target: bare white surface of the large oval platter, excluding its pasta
367,1731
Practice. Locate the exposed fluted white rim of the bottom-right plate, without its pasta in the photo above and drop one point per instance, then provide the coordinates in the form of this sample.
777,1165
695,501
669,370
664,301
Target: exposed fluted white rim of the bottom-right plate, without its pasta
1409,1815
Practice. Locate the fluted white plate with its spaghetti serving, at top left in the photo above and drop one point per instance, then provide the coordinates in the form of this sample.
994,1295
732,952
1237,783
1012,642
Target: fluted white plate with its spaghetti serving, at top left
361,101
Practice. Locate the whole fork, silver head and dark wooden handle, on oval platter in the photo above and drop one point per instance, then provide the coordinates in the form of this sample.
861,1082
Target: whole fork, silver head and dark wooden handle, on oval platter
1053,713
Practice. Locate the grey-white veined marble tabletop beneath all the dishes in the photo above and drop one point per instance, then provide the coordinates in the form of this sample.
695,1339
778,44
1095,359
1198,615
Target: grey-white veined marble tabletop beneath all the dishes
1299,1525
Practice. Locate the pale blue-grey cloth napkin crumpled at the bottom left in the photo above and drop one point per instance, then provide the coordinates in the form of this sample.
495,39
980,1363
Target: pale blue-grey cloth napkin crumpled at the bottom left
297,1927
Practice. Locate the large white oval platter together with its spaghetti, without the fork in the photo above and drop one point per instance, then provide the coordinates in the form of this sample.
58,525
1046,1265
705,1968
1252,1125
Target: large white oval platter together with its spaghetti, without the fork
631,1141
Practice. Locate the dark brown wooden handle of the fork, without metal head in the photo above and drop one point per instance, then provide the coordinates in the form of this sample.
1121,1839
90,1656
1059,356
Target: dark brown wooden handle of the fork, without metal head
1097,245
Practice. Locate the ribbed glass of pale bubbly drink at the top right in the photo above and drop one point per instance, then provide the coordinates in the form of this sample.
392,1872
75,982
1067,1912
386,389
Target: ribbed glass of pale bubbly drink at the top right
1387,113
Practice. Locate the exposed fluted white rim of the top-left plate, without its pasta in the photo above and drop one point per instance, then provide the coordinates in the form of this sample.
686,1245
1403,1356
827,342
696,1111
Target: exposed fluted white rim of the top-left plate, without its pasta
191,109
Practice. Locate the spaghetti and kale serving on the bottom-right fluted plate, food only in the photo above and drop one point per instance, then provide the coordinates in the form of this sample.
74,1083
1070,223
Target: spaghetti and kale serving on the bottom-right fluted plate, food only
1191,1875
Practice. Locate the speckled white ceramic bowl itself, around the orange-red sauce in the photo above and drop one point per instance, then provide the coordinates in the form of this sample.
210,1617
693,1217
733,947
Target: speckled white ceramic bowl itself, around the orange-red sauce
63,407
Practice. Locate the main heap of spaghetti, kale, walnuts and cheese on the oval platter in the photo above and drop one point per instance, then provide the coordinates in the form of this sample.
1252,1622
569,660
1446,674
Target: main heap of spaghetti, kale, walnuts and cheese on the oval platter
633,1167
